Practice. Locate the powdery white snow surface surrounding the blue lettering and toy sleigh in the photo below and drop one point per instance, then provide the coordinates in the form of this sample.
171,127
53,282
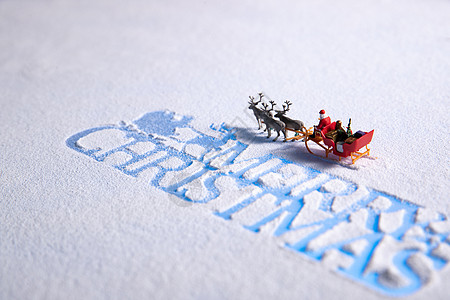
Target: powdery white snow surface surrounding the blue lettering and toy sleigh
71,228
